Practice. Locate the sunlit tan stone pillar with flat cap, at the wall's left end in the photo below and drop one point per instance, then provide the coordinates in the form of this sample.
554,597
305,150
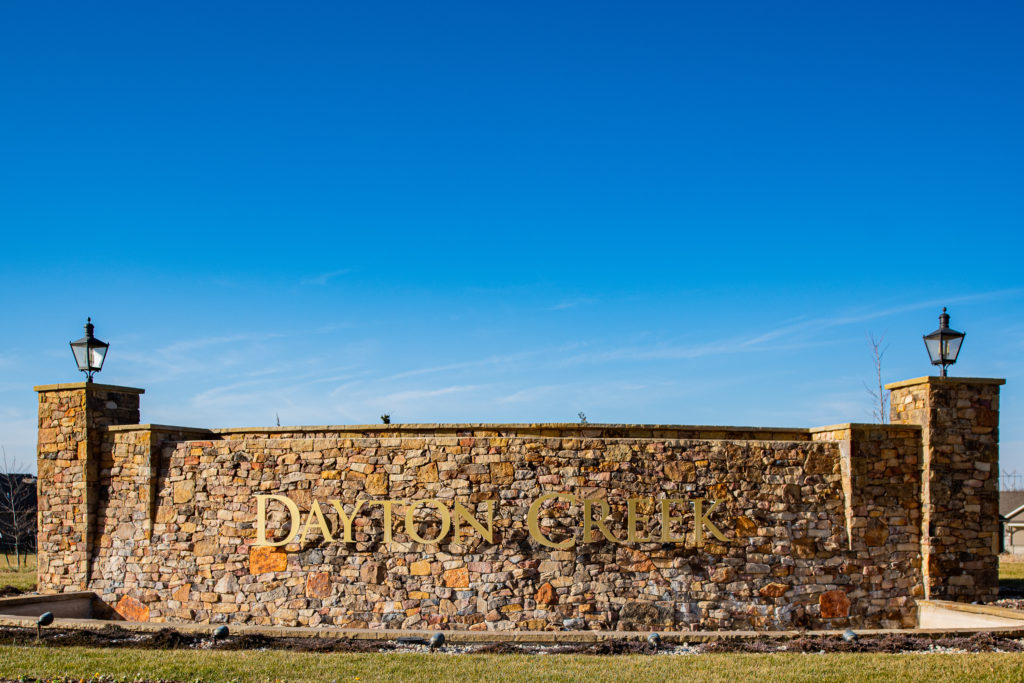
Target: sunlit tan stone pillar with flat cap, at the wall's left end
71,422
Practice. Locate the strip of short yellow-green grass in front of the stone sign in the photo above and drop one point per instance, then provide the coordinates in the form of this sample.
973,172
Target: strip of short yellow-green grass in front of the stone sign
274,666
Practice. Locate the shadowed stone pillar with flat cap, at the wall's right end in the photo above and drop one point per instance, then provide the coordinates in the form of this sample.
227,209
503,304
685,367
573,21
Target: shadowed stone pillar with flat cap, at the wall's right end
960,419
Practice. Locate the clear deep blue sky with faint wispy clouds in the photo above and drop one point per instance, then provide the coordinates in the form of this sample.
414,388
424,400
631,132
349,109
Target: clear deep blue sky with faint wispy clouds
471,212
